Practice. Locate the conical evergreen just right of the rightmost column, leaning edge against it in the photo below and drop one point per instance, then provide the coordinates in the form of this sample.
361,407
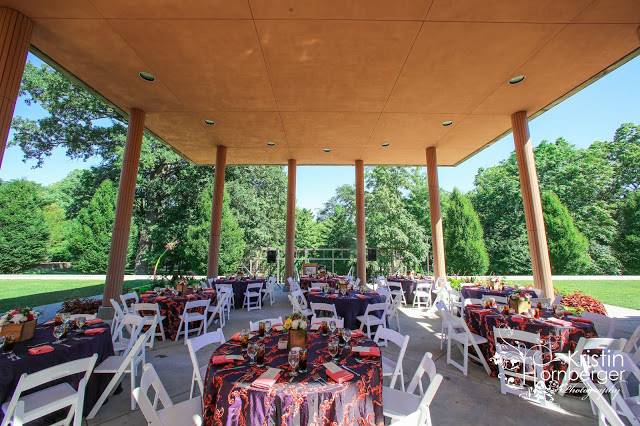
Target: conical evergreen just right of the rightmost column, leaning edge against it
568,247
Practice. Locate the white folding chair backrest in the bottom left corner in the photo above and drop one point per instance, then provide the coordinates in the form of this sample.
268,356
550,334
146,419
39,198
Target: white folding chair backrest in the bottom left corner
42,377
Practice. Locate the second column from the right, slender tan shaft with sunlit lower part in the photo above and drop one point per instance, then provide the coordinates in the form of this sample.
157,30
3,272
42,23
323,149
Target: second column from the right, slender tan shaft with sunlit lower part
437,239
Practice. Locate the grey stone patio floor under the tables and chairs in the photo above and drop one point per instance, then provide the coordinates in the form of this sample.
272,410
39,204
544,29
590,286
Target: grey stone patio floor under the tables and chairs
474,399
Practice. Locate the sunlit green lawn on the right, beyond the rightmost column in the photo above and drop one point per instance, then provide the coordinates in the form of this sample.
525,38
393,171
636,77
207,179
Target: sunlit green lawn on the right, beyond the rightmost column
618,293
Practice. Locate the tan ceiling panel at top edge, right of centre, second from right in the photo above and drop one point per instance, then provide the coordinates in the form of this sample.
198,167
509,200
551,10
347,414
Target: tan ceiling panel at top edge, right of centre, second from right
547,11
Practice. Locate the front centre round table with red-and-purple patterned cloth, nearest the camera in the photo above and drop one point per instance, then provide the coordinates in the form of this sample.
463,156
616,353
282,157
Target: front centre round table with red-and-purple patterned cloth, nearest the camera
229,398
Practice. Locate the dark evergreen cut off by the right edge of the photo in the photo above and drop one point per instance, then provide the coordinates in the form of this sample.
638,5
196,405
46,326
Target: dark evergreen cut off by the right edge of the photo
628,241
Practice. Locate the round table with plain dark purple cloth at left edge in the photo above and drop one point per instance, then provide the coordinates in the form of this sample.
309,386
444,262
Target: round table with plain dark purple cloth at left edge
75,346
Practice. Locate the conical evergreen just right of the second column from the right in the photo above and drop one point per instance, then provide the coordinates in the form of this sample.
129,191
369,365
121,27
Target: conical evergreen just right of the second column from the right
465,251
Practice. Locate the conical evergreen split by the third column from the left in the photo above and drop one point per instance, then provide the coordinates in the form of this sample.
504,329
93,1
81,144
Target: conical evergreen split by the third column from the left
196,244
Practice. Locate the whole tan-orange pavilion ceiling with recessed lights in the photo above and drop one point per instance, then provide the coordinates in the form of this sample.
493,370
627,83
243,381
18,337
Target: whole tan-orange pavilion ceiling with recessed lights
348,75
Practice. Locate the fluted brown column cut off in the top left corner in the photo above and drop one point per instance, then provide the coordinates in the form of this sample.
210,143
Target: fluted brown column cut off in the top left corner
15,35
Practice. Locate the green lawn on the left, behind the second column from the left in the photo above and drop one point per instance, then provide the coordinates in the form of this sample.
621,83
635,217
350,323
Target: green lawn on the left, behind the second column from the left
36,292
